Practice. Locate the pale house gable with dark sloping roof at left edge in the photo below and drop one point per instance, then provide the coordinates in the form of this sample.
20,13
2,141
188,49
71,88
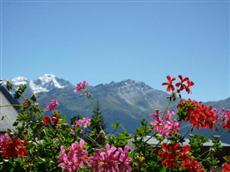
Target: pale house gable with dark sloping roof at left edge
8,112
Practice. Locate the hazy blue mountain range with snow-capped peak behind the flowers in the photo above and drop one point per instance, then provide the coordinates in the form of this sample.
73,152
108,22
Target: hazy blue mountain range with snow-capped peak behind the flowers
126,102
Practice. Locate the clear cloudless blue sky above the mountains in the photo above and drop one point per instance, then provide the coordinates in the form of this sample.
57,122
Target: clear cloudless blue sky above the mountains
104,41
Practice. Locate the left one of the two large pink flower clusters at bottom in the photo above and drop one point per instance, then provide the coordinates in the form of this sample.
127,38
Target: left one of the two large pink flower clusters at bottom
74,157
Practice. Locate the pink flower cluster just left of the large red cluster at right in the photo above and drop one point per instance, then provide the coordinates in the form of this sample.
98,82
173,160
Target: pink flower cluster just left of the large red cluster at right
165,127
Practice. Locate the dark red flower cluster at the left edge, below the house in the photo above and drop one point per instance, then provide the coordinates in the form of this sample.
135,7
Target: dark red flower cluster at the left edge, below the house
12,147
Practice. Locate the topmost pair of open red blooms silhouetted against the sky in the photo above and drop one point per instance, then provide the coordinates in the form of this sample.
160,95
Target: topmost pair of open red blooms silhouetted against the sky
184,84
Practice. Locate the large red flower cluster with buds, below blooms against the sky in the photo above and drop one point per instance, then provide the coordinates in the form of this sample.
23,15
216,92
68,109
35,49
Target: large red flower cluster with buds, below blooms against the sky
198,114
